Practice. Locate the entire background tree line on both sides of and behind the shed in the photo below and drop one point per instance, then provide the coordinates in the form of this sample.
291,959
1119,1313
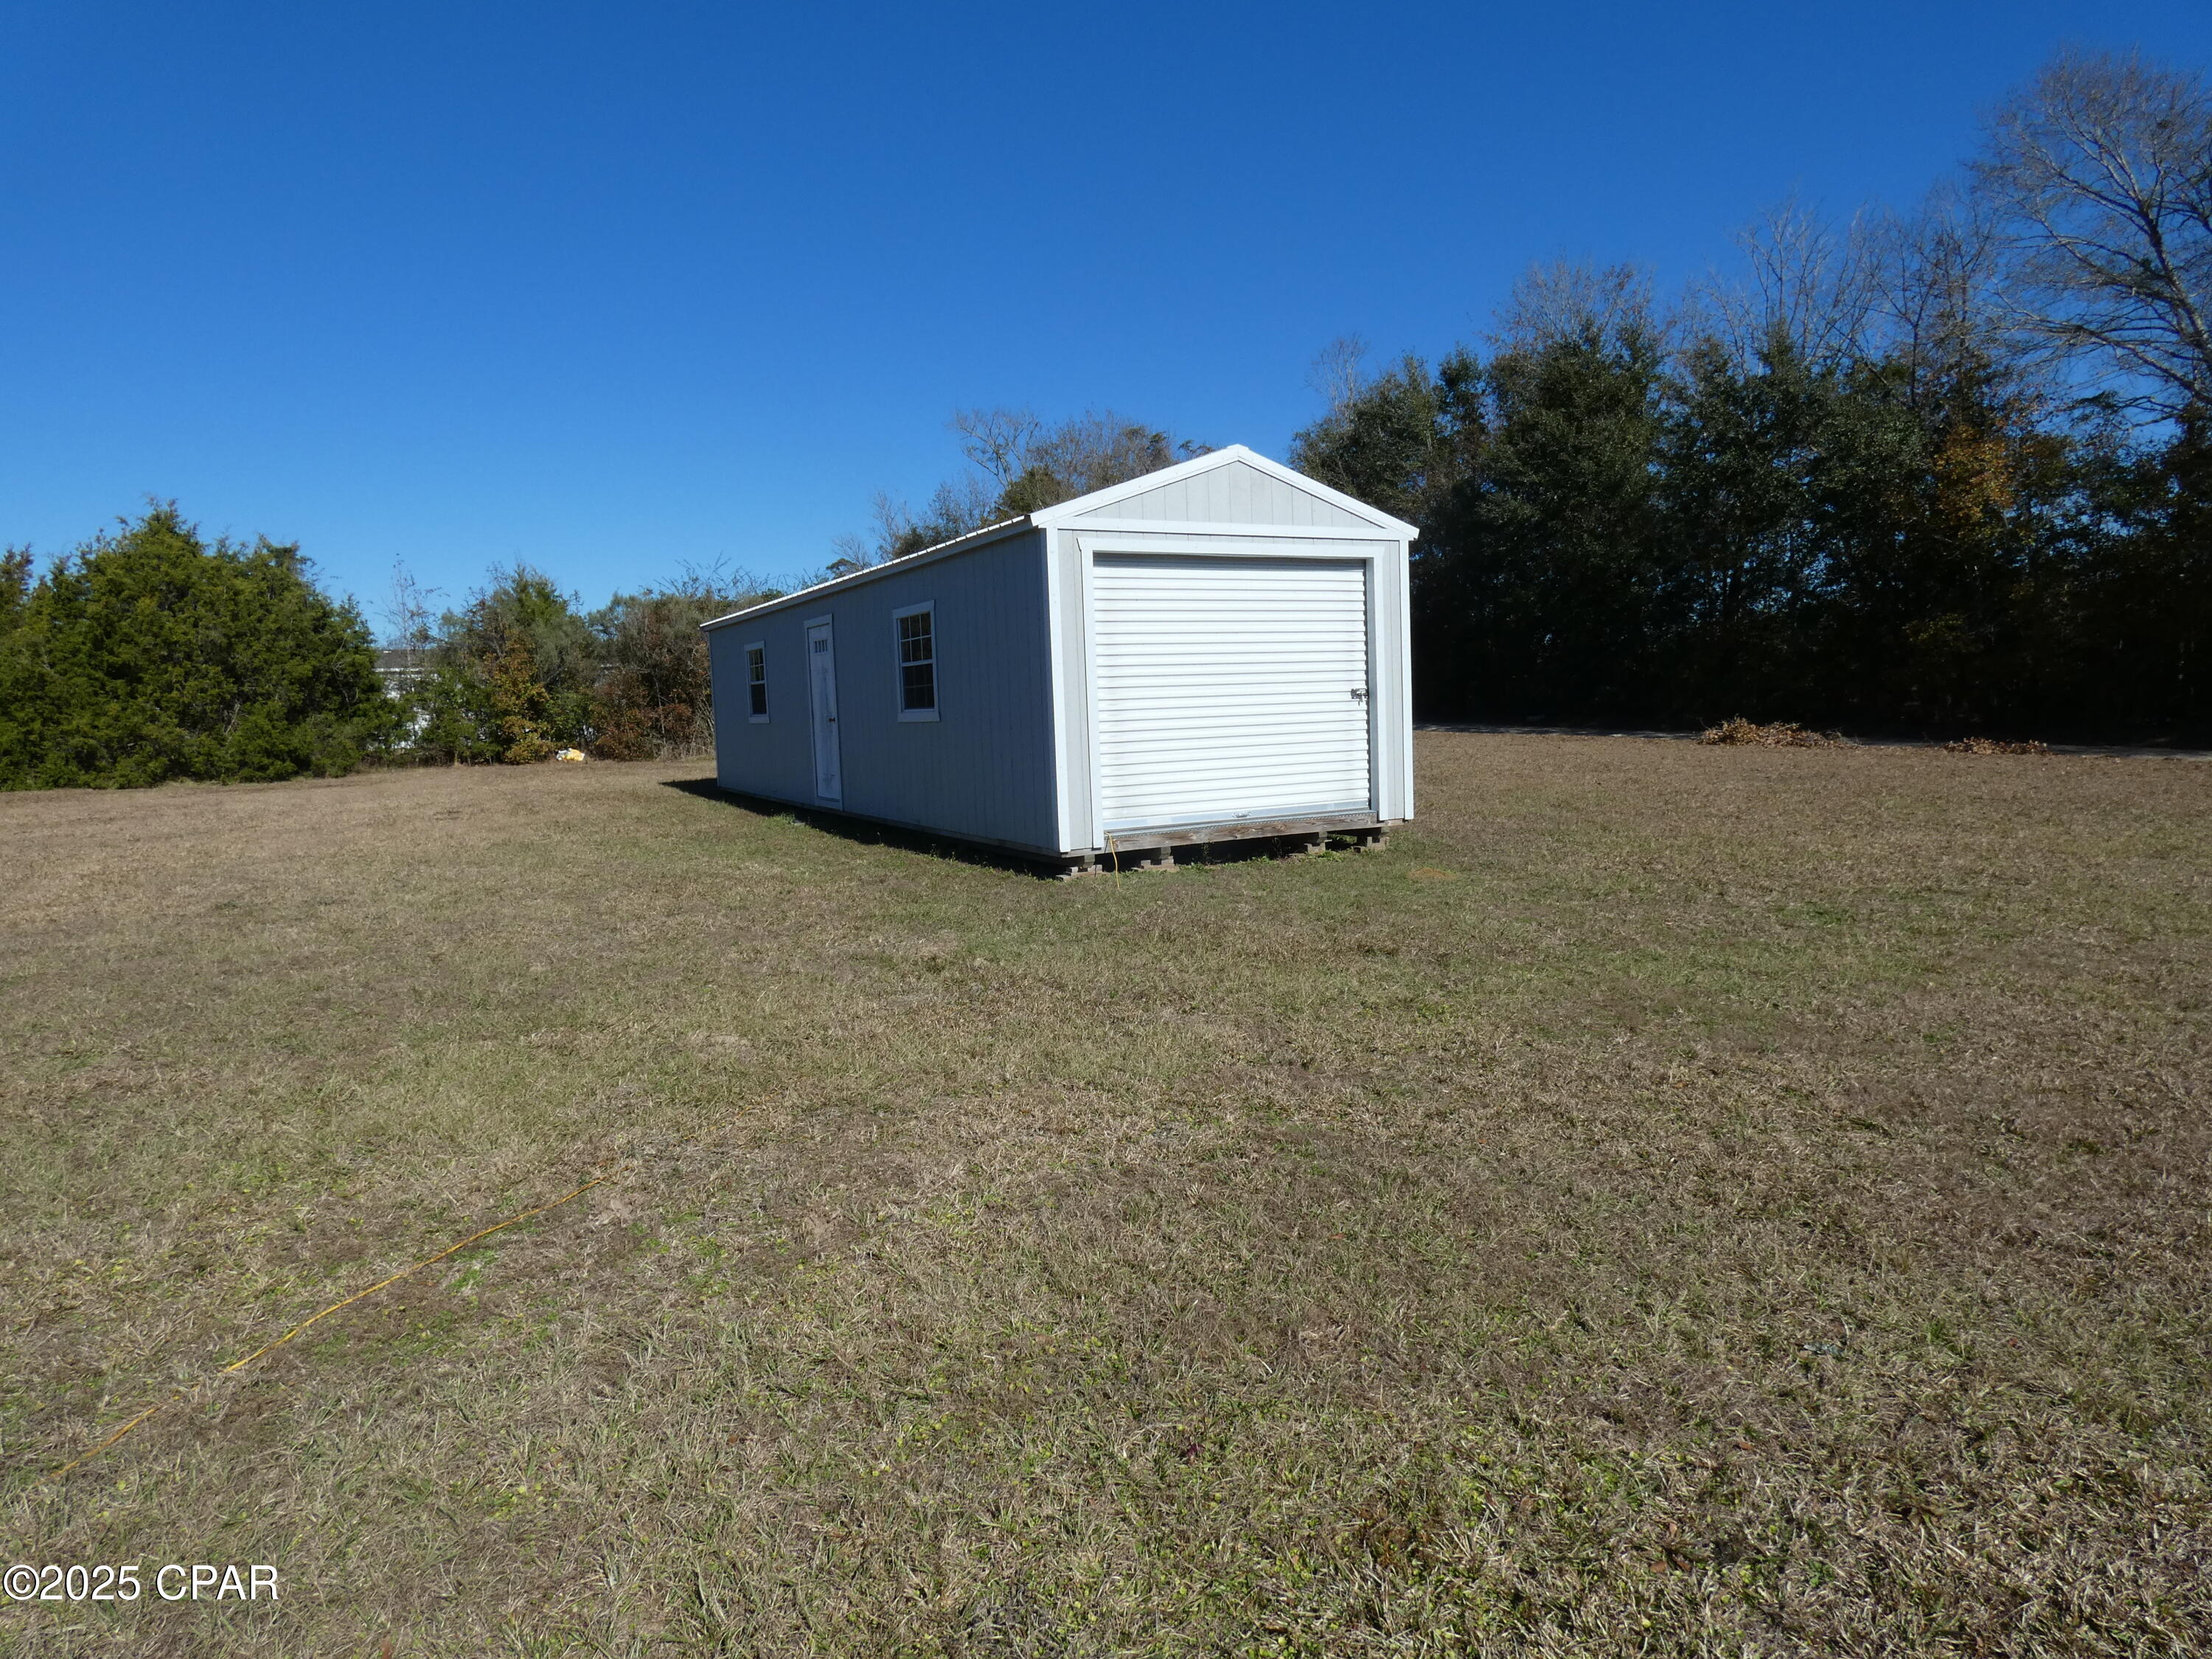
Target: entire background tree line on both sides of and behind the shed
1945,470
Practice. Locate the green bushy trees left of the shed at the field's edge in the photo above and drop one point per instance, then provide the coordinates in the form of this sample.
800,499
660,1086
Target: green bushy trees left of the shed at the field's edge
154,654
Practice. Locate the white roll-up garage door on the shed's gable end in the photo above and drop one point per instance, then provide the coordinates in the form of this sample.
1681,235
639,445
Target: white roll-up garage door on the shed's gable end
1231,689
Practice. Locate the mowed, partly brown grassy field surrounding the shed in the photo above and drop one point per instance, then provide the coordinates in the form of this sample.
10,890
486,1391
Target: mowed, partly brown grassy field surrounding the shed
1676,1200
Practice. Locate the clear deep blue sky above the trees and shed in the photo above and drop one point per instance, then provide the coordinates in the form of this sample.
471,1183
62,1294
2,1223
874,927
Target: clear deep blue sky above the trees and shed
620,286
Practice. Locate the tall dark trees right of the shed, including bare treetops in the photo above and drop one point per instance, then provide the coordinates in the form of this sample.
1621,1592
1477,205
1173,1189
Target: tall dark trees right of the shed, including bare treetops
1945,470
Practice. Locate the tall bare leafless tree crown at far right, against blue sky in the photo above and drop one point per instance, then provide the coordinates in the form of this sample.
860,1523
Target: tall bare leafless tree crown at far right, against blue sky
2100,180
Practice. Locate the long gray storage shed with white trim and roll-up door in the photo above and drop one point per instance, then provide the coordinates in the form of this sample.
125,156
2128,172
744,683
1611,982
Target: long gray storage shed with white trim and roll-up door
1204,654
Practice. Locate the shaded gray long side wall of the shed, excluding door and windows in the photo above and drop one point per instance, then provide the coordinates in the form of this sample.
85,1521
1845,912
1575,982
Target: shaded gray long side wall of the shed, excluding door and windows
981,771
